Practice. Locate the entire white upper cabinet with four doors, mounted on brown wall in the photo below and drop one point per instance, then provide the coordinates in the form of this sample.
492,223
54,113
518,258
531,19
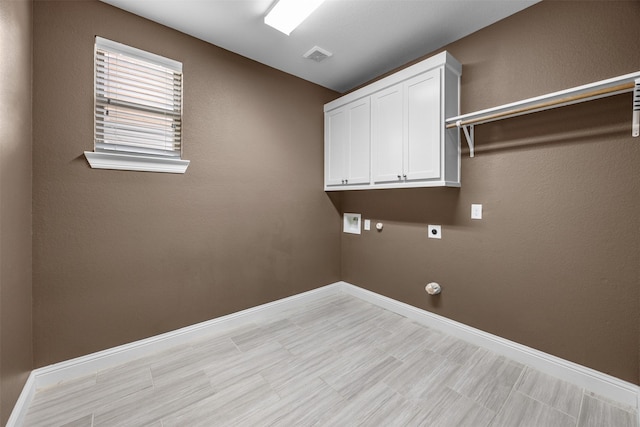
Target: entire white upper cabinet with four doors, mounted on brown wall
407,144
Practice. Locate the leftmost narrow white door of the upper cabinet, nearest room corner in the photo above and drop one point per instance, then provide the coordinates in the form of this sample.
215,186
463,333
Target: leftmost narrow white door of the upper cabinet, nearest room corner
336,134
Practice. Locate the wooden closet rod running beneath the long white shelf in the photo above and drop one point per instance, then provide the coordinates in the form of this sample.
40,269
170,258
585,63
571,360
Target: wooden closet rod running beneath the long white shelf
544,105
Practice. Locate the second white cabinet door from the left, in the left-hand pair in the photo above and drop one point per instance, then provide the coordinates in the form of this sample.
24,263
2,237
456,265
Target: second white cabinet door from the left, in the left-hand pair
359,148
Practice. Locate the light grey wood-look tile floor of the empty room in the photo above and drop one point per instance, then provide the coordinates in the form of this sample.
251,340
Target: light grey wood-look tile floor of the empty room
337,362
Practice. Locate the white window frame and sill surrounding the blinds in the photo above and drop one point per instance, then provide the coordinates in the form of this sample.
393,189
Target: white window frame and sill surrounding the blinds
126,160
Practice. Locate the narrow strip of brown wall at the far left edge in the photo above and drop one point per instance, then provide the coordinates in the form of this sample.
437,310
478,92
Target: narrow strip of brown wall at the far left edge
16,356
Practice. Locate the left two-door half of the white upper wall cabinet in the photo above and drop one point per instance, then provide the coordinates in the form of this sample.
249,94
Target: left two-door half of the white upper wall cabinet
347,144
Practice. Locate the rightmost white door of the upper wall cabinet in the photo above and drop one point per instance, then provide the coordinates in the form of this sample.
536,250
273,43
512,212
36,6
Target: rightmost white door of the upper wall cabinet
422,156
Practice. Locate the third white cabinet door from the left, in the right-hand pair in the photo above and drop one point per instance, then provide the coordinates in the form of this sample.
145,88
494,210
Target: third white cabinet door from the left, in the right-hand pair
387,134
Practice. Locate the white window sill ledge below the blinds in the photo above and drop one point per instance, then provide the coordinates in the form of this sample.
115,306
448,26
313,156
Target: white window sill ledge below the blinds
135,163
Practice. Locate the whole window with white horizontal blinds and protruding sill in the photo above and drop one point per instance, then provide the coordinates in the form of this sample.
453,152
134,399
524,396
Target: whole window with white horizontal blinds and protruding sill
138,110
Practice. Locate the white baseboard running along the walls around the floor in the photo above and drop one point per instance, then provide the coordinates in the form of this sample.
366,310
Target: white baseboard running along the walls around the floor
602,384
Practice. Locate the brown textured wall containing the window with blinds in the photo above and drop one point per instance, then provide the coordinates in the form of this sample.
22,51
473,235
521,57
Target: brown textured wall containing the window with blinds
119,256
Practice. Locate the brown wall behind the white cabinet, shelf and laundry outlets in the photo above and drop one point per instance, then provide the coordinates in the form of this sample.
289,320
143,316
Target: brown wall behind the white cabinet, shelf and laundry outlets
554,264
